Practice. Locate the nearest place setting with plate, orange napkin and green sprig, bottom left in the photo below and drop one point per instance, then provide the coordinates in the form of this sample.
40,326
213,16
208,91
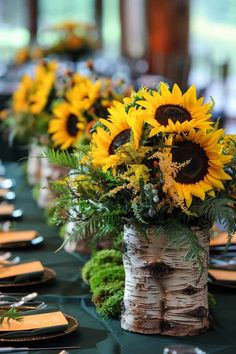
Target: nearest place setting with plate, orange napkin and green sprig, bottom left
24,318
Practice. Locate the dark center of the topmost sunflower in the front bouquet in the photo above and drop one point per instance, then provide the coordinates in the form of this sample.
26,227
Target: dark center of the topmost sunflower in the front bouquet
173,112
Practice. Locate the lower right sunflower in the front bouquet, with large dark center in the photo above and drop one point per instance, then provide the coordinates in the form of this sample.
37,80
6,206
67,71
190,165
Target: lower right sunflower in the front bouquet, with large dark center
202,171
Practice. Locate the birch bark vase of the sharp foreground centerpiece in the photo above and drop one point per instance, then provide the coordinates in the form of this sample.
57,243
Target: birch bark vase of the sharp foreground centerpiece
163,294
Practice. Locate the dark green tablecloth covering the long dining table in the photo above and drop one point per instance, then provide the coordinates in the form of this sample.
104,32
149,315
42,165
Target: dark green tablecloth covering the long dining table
96,334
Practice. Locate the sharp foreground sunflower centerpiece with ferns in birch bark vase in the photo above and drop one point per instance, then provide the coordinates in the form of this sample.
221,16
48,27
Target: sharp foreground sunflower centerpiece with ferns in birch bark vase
158,174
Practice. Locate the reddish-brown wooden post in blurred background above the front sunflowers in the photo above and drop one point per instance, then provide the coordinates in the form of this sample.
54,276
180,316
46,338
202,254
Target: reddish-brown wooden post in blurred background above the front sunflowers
168,34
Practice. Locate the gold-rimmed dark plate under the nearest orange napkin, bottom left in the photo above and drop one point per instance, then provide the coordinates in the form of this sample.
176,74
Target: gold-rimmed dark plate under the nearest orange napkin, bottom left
72,326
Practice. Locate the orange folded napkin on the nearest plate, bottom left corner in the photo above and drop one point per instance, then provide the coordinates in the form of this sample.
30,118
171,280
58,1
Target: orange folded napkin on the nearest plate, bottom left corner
35,322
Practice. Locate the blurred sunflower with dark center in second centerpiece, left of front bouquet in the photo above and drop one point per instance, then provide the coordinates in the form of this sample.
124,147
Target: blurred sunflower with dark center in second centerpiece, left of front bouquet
67,126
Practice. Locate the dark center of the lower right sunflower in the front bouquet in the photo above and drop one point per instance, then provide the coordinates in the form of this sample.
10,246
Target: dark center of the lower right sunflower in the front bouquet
197,168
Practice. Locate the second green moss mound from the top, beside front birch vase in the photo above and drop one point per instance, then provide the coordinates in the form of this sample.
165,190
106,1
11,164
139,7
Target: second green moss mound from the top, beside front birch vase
107,275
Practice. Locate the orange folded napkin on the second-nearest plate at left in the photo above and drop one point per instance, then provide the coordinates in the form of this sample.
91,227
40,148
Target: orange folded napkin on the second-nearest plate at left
21,272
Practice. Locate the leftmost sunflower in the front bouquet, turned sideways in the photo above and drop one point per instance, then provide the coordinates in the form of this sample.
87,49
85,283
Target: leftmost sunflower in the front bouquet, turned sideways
123,128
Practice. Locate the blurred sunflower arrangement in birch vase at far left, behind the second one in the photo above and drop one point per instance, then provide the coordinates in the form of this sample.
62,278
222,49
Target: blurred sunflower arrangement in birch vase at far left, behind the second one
29,112
